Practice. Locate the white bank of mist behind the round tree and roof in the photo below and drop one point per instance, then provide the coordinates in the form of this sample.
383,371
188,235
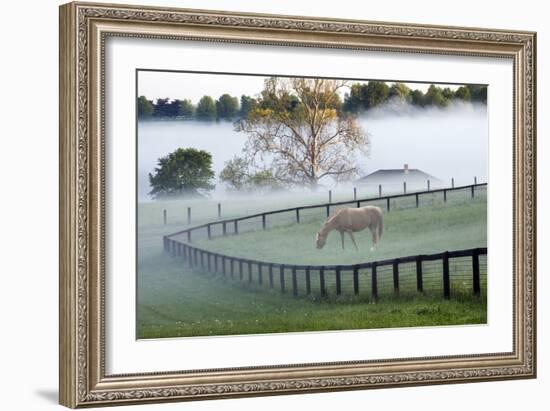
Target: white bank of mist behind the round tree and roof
450,142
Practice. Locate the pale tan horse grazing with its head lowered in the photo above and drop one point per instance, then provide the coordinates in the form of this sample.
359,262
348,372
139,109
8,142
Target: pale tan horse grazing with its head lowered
350,220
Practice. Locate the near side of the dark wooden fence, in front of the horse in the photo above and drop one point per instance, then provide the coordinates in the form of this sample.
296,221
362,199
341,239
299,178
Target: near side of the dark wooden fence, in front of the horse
298,278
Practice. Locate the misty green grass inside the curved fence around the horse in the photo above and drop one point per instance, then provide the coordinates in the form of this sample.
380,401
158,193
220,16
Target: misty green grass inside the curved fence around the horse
425,230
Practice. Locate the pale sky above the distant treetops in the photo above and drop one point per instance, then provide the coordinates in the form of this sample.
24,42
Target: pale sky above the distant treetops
175,85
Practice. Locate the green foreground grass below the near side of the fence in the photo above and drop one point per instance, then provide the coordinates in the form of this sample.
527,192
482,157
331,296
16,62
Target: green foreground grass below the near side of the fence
180,303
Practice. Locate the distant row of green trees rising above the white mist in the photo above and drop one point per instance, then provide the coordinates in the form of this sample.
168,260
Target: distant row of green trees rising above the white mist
361,97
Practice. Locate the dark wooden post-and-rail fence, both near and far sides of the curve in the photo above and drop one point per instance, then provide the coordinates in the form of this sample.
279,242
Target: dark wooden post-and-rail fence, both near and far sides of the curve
299,277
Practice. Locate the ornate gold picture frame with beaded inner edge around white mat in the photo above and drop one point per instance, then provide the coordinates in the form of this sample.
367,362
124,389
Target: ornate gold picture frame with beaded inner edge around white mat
84,30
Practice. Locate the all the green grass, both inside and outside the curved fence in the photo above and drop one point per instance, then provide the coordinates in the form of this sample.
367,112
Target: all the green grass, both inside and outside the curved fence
176,301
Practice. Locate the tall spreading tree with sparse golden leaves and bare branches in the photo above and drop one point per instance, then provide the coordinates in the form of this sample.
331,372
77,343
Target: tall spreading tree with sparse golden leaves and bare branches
298,132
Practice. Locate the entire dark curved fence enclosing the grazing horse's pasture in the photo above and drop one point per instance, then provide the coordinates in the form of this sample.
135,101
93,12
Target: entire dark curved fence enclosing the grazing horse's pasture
445,272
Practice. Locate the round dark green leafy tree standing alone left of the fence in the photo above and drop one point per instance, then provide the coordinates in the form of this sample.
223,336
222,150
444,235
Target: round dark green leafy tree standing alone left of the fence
182,172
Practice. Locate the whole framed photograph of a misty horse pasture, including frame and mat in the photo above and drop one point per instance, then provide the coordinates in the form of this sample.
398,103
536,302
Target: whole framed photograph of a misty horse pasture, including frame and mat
260,204
